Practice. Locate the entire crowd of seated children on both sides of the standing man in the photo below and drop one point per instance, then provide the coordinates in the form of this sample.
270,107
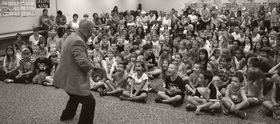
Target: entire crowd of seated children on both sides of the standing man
224,65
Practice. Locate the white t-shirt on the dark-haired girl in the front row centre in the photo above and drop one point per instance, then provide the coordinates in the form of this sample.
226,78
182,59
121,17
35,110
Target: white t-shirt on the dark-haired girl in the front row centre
138,81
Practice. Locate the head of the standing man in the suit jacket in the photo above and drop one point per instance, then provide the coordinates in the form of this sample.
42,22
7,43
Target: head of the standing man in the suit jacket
86,27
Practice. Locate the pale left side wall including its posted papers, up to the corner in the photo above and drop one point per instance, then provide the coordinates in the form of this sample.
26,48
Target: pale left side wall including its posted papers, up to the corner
21,15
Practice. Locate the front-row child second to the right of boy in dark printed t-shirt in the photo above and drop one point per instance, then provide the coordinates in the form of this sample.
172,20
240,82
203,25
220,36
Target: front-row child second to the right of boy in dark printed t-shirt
235,98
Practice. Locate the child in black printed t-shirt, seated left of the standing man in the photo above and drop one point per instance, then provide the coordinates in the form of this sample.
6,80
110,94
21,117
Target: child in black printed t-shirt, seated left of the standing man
42,68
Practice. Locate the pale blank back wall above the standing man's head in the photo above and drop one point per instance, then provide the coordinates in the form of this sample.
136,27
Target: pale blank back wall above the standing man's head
69,7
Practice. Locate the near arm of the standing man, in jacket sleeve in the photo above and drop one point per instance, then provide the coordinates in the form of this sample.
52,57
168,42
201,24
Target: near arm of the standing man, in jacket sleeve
78,51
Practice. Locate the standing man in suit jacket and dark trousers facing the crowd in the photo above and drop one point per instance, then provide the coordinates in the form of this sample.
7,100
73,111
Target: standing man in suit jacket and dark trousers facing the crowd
72,74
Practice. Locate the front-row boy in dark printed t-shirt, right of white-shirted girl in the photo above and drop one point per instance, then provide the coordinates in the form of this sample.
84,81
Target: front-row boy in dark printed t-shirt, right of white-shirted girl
174,88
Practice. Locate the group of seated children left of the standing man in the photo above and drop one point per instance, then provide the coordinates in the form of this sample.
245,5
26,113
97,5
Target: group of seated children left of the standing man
29,64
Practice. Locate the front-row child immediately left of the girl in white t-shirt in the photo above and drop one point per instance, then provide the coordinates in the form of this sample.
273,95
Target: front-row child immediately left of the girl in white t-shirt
118,83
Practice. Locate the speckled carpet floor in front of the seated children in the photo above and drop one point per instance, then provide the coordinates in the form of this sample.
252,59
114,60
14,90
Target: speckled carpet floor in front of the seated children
35,104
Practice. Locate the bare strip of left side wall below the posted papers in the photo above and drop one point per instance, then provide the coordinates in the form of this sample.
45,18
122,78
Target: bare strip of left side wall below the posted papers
13,24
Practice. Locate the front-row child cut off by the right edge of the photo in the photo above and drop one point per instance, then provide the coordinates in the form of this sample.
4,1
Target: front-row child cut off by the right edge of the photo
275,96
